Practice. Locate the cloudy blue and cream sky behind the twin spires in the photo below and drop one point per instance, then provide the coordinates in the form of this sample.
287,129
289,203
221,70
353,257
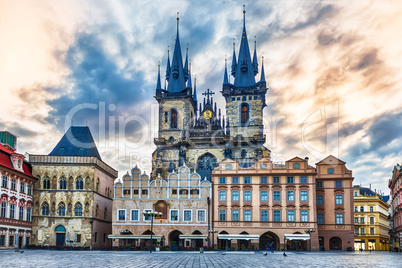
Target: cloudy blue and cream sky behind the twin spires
333,69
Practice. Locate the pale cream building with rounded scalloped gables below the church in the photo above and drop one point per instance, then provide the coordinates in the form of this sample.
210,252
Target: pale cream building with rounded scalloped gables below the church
182,198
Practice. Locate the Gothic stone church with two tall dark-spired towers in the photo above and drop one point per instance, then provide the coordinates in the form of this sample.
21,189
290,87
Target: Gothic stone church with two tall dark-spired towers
198,136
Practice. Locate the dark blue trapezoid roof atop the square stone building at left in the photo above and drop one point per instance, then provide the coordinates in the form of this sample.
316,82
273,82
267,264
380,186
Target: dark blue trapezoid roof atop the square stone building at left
77,141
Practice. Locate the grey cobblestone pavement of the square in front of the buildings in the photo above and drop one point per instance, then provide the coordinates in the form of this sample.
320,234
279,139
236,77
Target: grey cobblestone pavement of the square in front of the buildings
44,258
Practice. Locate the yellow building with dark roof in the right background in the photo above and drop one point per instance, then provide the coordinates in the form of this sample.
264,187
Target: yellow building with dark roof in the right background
371,220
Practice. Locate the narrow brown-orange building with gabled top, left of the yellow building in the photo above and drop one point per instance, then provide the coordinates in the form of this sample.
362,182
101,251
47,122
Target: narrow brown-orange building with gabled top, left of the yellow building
334,195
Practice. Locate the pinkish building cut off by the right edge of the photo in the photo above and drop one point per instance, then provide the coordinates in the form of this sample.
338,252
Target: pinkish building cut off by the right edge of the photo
395,186
